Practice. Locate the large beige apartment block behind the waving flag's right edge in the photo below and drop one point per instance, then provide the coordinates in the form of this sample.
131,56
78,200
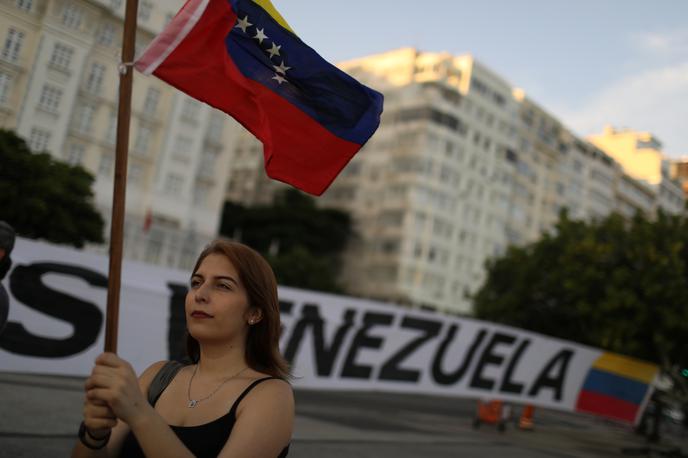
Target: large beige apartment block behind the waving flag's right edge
462,166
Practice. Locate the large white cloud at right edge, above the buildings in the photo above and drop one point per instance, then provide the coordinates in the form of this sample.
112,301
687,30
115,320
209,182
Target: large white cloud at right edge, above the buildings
654,101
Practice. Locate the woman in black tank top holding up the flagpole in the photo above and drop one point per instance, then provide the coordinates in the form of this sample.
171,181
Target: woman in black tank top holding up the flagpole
233,400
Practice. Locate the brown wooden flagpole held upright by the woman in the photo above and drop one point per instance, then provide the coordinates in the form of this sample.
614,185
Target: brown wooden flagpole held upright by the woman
126,81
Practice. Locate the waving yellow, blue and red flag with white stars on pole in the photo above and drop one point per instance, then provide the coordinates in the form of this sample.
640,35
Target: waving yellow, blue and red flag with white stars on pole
241,57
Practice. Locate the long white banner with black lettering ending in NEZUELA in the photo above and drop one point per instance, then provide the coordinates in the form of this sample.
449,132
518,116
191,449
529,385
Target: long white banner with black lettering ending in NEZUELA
56,321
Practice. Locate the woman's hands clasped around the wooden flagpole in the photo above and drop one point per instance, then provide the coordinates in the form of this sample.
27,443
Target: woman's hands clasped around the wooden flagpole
113,386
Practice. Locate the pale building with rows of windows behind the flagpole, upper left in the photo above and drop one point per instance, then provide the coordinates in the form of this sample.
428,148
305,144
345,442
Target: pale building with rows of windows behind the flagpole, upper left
58,89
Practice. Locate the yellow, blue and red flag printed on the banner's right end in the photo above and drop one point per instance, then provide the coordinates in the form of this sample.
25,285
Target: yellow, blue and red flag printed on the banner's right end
616,387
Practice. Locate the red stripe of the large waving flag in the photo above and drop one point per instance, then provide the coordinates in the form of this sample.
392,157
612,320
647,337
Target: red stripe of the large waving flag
298,150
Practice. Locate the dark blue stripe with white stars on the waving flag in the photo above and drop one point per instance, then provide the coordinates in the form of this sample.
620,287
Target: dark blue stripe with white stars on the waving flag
331,97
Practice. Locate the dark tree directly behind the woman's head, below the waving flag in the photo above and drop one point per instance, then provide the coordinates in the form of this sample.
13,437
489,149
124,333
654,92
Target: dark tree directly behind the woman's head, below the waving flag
302,242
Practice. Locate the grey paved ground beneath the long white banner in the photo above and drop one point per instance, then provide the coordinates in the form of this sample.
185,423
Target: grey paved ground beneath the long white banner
40,414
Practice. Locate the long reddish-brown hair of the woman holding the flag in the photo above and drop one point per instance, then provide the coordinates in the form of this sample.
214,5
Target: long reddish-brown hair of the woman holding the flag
258,279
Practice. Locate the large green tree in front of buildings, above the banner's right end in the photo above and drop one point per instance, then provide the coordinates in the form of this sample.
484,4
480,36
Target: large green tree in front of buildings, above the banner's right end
616,284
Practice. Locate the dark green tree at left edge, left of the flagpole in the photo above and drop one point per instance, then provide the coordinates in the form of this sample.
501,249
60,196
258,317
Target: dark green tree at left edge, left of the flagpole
44,198
